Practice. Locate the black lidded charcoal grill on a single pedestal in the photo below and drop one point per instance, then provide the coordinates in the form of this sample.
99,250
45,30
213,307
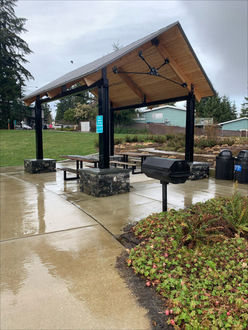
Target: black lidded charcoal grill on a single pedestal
167,171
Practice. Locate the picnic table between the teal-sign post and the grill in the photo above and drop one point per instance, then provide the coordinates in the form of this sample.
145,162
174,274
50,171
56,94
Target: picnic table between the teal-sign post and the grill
137,158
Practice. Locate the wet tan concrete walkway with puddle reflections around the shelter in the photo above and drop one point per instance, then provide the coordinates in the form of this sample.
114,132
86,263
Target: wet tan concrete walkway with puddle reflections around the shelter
58,249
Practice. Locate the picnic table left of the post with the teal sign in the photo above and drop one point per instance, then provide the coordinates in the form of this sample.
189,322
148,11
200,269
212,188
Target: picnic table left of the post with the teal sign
79,164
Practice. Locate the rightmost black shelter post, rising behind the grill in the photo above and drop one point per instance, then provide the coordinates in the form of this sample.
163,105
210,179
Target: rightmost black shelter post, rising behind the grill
190,122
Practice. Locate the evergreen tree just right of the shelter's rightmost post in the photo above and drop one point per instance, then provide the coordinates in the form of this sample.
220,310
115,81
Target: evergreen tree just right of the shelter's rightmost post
216,107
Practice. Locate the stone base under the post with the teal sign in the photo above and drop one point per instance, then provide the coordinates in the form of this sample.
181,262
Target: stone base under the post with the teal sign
104,182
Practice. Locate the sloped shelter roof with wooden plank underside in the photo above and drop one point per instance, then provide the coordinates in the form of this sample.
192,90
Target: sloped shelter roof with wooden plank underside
128,88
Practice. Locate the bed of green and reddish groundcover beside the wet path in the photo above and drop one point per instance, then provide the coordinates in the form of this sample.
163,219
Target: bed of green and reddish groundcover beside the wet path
198,259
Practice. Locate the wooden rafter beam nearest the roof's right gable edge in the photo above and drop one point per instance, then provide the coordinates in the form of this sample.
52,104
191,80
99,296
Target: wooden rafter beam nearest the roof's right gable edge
163,51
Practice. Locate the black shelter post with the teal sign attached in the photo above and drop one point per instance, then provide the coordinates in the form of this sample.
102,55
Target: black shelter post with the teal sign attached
103,109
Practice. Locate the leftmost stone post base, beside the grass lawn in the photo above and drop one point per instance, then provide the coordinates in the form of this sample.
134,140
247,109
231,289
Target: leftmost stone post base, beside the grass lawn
39,165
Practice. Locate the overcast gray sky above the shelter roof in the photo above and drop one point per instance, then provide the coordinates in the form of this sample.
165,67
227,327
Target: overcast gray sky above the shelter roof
81,31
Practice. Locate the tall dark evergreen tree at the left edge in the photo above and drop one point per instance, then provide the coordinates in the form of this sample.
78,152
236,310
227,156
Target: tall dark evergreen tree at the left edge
12,57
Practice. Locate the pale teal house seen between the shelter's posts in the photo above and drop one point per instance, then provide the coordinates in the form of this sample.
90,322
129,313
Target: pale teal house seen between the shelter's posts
166,114
